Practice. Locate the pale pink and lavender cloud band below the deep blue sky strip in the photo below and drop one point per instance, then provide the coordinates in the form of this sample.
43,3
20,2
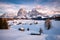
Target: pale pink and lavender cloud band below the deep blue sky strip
48,8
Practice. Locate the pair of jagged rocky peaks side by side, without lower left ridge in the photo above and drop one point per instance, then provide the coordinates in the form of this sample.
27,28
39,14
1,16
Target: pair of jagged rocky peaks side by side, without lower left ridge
22,13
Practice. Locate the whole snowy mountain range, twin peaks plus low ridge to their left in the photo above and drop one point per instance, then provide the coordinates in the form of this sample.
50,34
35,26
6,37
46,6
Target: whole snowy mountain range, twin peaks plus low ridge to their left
22,13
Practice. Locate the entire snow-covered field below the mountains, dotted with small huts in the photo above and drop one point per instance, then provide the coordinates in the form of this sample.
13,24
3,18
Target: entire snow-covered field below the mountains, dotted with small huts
14,34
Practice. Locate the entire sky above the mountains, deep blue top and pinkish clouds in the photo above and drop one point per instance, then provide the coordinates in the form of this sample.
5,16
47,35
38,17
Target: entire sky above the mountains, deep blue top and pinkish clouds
12,6
